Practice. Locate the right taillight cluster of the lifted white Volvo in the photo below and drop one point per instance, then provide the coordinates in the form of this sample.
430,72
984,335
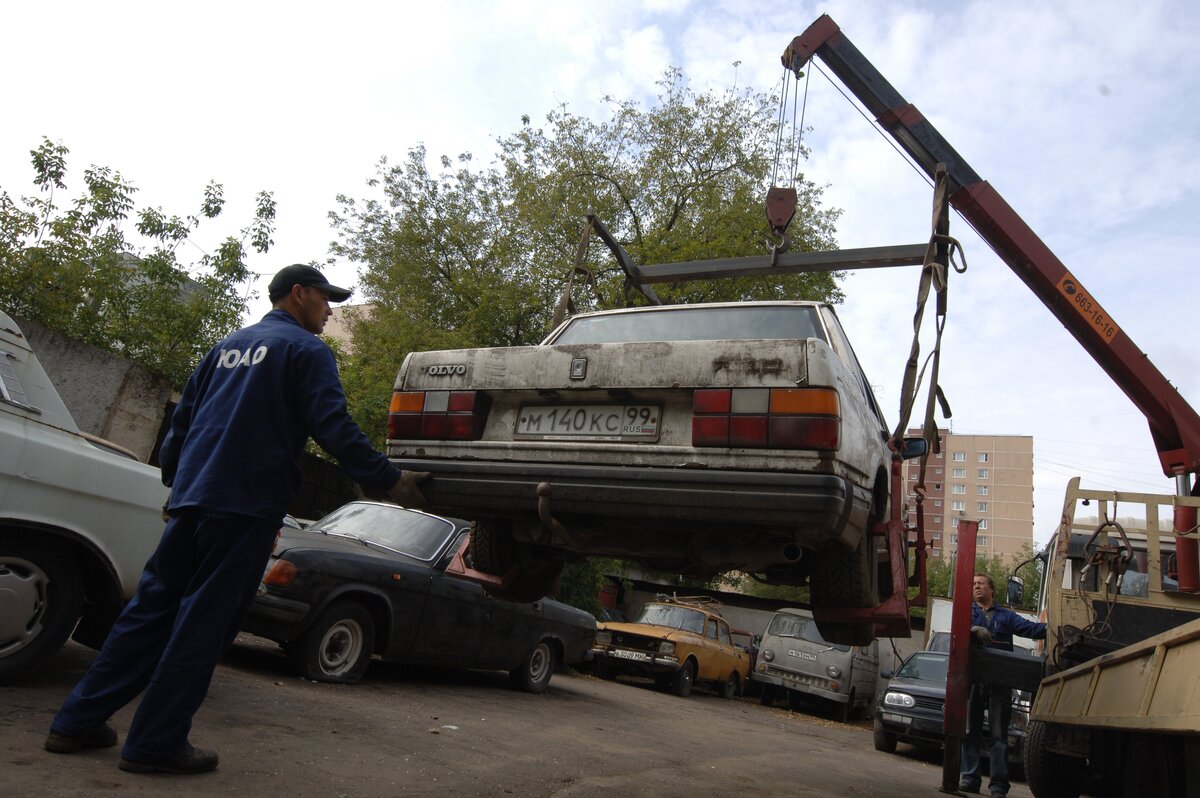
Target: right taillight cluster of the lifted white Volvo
766,418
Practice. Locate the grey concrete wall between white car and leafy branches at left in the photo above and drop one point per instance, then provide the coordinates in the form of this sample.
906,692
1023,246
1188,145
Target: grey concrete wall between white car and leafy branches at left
107,395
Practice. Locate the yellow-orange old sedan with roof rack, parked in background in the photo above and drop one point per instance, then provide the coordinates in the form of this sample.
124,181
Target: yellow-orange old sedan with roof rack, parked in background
677,643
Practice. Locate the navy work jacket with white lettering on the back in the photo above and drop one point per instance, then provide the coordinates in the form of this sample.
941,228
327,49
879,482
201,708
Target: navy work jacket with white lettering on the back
241,428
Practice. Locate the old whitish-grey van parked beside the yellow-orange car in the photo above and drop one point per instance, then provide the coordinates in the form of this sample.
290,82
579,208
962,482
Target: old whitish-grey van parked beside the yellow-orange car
794,659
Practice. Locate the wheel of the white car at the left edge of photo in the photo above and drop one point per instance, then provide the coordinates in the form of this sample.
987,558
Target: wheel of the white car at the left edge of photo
43,598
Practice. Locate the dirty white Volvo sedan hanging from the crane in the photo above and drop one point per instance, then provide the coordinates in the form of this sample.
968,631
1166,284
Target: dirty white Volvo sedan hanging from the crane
694,439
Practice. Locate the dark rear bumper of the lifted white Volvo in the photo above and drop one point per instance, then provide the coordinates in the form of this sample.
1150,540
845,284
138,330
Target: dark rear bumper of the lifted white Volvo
824,509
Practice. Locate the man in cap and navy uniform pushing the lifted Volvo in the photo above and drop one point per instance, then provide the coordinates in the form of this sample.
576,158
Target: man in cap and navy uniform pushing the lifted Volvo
231,459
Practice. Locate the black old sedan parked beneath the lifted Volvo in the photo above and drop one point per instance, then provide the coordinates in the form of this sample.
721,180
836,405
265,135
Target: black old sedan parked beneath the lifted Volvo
371,579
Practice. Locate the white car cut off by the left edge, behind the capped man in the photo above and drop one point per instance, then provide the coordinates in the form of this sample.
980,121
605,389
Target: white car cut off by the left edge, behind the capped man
80,518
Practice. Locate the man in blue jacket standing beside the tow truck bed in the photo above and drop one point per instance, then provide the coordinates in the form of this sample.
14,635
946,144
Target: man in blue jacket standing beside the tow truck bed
995,628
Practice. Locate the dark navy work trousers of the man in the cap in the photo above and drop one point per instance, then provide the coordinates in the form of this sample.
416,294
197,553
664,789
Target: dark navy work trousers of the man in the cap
193,598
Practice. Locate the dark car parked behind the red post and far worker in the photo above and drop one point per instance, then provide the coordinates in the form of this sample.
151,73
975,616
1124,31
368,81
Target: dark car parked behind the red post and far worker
913,707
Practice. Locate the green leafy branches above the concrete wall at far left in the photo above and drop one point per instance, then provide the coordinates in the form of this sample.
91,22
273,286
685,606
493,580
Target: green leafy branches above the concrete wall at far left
71,268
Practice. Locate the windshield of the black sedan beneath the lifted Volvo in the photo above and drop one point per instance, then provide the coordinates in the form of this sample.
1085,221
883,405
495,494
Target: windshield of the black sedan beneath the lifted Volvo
411,533
